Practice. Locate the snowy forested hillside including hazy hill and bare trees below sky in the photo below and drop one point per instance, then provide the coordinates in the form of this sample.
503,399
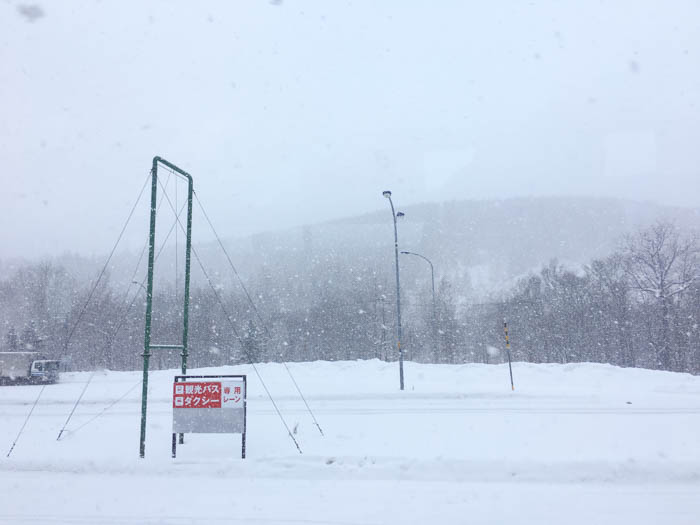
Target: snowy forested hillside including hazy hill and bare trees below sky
577,280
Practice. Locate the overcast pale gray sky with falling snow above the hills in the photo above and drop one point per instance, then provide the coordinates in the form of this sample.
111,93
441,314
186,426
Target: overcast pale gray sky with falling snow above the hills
291,112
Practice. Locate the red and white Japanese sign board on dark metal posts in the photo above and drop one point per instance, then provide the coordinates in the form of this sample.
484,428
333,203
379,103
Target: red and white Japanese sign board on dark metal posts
209,405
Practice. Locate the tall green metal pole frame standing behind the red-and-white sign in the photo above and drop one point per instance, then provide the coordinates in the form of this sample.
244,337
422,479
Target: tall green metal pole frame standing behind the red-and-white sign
147,346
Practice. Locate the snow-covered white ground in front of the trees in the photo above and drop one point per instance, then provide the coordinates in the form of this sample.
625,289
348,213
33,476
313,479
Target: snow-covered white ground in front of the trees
578,443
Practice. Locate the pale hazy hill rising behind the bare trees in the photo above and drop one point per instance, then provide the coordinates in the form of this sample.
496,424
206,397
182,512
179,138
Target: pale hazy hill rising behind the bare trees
479,246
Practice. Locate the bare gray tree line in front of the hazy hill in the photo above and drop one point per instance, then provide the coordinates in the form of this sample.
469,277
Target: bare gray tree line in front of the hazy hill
637,307
